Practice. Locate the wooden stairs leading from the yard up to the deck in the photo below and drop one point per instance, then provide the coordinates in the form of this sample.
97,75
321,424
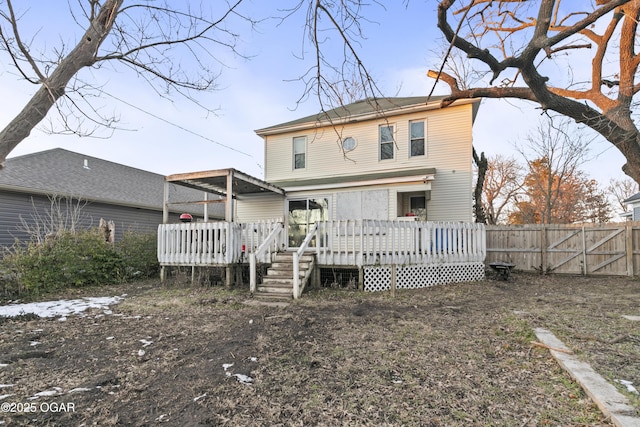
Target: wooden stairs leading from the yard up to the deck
277,284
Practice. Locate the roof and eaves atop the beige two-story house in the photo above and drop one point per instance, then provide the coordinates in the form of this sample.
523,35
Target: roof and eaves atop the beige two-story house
366,109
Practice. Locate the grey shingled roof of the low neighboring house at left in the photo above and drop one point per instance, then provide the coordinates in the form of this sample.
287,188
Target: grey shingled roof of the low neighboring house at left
66,173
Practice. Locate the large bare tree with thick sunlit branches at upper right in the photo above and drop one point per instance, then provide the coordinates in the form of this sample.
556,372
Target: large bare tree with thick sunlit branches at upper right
525,44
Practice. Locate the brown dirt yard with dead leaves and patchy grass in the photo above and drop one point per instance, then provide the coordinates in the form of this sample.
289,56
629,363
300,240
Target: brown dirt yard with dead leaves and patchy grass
455,355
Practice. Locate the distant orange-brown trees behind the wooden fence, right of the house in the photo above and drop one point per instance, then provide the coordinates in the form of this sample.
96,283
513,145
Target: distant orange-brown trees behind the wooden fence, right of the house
548,186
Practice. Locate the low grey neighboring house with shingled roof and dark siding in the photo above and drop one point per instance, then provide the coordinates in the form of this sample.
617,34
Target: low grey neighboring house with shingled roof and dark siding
131,198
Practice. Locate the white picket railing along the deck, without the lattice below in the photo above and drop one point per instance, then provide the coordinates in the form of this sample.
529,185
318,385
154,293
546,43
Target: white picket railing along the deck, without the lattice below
348,242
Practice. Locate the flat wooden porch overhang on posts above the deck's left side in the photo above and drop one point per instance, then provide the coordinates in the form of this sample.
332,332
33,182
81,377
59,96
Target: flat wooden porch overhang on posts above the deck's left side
228,184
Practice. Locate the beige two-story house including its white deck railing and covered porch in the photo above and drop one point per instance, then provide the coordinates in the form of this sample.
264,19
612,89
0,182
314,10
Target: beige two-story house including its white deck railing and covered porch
357,184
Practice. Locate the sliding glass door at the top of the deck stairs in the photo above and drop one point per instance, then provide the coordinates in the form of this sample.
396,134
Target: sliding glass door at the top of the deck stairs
302,215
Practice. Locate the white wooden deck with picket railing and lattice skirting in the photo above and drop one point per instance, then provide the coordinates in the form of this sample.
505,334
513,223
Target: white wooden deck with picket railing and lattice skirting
429,252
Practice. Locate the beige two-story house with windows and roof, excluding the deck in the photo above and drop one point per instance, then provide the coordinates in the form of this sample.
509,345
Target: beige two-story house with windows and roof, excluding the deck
374,159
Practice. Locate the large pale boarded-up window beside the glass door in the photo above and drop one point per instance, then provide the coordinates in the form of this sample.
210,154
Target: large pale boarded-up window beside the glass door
372,204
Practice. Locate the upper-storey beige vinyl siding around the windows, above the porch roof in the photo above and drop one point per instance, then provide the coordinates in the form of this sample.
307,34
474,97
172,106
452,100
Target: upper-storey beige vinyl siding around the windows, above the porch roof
448,135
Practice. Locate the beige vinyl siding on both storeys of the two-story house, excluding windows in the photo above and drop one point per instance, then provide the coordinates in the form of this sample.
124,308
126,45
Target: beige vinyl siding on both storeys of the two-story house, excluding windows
448,146
